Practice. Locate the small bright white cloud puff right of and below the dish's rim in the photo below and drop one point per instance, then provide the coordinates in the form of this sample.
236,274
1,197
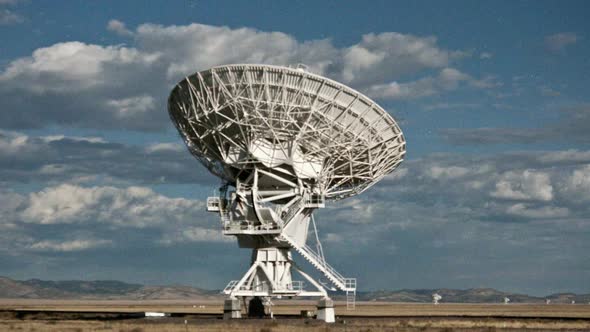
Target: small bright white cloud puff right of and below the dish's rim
526,185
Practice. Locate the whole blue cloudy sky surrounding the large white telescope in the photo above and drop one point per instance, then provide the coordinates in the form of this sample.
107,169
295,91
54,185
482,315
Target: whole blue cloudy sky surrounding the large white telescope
492,97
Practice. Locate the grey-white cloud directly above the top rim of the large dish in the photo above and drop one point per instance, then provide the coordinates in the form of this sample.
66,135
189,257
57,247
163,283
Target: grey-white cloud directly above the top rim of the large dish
195,47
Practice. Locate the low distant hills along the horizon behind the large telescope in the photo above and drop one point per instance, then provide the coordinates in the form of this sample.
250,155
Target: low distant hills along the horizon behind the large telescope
110,289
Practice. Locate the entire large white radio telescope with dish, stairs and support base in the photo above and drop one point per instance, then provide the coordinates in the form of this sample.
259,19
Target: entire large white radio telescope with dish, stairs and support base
283,141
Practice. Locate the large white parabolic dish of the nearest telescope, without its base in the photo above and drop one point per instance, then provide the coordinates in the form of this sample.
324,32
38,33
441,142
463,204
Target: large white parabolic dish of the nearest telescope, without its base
236,116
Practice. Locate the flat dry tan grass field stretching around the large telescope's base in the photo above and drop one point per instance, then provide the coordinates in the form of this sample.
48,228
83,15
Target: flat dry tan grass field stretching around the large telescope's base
74,316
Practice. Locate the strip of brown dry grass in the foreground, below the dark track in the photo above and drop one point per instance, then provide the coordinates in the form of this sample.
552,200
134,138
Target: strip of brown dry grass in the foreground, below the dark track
174,325
